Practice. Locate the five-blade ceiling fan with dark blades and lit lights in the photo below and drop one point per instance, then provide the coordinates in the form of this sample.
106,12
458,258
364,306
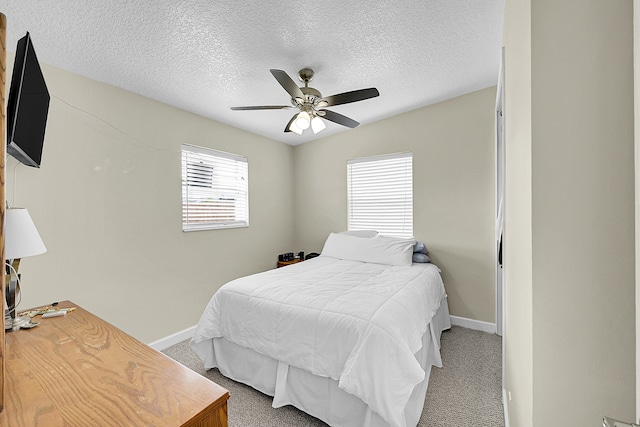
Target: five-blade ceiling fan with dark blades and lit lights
311,104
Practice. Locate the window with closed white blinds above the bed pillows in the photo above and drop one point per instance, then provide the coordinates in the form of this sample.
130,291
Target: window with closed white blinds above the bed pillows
380,194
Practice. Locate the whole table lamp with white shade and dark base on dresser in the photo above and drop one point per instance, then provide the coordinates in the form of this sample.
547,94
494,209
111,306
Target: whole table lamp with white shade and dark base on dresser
21,239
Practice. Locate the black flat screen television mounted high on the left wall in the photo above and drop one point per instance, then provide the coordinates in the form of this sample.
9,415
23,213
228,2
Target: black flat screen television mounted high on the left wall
27,106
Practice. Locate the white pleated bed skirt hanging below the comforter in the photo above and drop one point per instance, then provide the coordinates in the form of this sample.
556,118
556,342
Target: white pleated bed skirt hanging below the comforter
320,396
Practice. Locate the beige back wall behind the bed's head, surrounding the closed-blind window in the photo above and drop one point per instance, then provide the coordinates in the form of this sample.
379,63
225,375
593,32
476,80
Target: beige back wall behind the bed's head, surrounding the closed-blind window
454,190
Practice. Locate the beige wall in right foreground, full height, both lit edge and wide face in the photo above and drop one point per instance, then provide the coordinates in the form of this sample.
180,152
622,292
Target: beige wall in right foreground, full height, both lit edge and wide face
570,147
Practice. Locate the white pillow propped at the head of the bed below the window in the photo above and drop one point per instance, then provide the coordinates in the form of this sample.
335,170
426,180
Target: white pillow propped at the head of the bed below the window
379,249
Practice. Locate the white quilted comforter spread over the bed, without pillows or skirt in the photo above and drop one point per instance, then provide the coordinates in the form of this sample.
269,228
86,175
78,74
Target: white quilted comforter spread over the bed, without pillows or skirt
358,323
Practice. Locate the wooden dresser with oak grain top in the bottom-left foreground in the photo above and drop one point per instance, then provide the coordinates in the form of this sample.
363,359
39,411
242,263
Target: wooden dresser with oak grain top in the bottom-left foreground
78,370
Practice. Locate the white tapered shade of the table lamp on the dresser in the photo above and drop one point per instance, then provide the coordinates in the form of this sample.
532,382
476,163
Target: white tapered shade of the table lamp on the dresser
21,236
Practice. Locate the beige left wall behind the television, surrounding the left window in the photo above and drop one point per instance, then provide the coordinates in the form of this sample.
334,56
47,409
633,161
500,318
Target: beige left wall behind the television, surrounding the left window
107,202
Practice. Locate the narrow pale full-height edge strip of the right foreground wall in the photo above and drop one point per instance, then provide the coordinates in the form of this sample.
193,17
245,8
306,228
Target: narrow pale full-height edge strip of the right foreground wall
518,287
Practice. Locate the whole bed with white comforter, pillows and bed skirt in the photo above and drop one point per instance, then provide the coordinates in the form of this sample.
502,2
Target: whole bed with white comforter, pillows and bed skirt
348,337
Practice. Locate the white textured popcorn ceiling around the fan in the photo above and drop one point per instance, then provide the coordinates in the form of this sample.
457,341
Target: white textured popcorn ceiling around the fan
207,56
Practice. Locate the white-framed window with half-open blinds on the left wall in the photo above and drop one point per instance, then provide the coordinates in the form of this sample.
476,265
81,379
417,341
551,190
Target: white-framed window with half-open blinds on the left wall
215,189
